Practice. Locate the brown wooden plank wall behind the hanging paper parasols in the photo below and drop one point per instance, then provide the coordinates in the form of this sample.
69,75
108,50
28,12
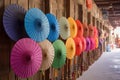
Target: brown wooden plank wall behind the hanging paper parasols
73,68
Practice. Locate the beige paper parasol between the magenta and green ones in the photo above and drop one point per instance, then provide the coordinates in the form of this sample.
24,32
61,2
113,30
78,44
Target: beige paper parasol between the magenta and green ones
48,54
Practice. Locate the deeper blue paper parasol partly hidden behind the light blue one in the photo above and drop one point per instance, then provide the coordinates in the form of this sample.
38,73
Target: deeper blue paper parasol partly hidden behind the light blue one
54,27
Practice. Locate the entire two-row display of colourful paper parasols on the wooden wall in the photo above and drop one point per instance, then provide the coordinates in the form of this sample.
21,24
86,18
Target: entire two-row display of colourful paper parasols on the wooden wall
43,41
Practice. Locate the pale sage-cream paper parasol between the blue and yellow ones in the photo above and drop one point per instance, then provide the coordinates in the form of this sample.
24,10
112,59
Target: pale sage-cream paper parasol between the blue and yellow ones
64,28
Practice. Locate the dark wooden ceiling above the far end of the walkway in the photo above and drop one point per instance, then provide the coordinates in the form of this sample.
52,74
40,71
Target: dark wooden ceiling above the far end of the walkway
111,10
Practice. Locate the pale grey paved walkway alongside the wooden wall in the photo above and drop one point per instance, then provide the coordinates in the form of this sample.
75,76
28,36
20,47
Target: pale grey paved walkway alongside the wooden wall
107,67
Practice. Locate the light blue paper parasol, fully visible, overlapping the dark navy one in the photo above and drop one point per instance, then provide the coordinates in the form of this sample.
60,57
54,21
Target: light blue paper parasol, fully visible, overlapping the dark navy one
36,24
